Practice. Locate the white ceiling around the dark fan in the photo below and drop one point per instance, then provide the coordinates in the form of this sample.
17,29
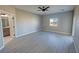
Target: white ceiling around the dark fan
53,8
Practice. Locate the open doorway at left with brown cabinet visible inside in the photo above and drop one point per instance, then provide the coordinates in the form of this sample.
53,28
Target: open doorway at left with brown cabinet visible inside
7,27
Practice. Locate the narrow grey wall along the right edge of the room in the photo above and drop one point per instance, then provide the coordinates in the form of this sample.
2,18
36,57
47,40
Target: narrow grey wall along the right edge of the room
76,28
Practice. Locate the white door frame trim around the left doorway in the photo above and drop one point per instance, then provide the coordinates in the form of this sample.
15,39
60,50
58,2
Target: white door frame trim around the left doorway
12,25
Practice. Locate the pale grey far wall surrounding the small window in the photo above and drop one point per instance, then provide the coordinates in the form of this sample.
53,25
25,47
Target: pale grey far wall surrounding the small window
64,22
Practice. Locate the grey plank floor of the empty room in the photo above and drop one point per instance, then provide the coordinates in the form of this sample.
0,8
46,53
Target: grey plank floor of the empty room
41,42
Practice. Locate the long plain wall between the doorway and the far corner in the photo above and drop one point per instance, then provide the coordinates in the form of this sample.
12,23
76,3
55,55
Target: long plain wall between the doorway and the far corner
26,22
